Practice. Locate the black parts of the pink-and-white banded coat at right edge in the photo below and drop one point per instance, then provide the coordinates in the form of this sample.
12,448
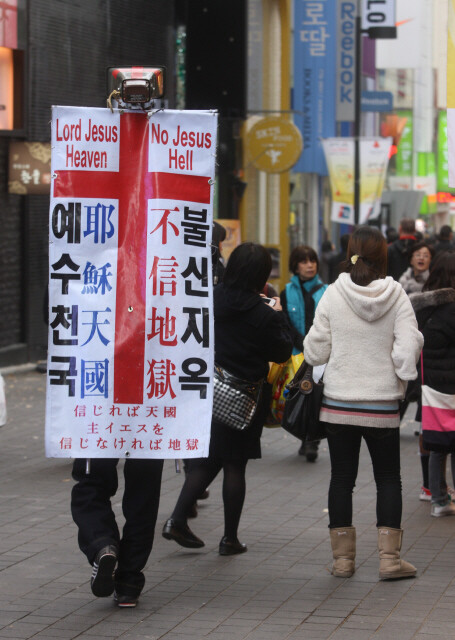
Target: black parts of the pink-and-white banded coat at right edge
435,313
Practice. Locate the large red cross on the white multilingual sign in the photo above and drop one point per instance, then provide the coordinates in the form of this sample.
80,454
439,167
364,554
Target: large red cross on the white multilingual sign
132,185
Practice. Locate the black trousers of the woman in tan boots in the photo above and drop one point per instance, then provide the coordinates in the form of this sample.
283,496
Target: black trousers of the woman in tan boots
384,447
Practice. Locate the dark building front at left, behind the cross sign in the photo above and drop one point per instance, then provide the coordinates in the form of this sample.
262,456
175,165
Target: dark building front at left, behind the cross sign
56,53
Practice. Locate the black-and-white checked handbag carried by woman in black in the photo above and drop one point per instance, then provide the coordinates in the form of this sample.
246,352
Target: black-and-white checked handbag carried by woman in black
234,400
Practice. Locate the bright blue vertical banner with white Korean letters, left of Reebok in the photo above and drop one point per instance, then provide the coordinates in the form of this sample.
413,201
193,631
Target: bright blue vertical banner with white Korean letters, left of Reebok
314,79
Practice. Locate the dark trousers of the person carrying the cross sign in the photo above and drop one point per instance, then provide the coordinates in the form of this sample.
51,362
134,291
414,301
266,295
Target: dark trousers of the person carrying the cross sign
92,512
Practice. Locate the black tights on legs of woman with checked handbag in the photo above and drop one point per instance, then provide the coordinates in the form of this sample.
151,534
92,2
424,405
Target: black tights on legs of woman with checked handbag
200,474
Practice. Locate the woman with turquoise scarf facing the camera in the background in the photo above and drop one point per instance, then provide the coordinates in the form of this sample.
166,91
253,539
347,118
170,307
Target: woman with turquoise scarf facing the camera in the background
299,300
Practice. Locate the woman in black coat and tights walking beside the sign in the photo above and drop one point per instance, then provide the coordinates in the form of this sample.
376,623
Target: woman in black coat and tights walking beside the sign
248,335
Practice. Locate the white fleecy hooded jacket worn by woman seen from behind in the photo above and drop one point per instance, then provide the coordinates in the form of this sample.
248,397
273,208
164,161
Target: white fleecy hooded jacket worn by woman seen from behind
368,337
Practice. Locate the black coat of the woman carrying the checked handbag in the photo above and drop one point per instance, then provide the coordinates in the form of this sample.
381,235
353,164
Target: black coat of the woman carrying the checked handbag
248,335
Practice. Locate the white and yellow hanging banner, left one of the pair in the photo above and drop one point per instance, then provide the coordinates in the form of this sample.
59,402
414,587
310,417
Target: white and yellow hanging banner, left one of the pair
339,155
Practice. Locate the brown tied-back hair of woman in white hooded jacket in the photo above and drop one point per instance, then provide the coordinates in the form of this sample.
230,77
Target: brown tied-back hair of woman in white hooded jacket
366,258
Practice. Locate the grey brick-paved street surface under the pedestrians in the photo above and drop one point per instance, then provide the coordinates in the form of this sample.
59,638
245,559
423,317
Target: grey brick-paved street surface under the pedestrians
281,589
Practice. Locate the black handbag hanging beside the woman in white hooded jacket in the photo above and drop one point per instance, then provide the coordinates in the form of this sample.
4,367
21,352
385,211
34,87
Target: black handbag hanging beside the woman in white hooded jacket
303,399
